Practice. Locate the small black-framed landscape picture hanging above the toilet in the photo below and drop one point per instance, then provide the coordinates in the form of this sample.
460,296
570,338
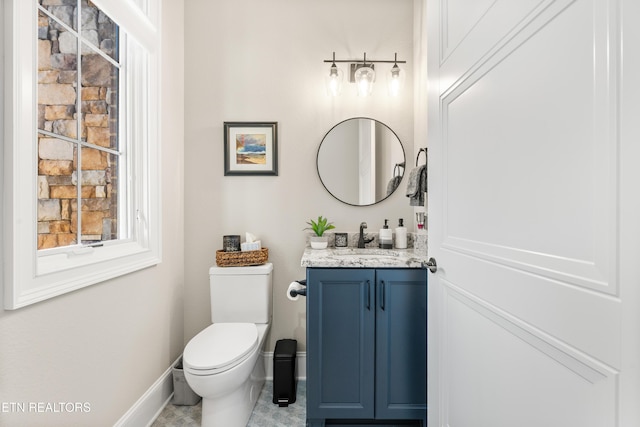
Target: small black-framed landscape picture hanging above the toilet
250,148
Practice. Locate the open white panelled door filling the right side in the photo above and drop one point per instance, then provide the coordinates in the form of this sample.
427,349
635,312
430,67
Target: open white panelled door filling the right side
534,189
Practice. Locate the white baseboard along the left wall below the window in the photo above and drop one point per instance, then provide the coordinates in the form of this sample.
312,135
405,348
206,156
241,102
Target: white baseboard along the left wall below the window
151,403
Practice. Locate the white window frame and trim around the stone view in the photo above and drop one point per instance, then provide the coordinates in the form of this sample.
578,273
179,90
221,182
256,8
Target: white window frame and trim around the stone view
31,276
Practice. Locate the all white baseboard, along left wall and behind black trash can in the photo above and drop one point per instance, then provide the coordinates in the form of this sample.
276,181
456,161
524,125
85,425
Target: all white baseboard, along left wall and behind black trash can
152,402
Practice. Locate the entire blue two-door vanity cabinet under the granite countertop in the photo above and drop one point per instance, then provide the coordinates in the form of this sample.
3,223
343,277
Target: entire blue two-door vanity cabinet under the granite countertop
366,345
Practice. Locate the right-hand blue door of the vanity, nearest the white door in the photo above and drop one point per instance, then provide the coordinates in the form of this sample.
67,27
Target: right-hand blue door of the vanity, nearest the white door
401,344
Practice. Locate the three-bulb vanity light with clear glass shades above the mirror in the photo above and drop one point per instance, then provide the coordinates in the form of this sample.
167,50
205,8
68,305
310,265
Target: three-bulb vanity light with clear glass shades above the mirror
363,74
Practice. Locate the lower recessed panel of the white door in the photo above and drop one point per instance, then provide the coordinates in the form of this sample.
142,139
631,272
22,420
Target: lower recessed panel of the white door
520,376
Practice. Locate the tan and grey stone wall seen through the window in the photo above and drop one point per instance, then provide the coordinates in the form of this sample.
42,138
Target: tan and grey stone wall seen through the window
58,159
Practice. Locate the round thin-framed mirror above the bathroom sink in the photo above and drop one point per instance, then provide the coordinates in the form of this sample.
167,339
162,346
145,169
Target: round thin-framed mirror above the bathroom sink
361,161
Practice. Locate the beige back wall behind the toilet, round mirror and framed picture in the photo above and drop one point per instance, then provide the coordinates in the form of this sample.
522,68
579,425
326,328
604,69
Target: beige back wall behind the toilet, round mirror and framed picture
262,61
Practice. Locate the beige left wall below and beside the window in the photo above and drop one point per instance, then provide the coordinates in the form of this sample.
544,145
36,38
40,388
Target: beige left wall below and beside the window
107,344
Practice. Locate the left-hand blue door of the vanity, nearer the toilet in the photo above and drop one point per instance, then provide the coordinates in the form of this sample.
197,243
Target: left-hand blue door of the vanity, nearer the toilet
340,343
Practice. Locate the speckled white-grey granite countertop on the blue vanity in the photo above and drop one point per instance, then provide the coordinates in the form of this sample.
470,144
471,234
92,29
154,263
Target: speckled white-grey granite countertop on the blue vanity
359,258
